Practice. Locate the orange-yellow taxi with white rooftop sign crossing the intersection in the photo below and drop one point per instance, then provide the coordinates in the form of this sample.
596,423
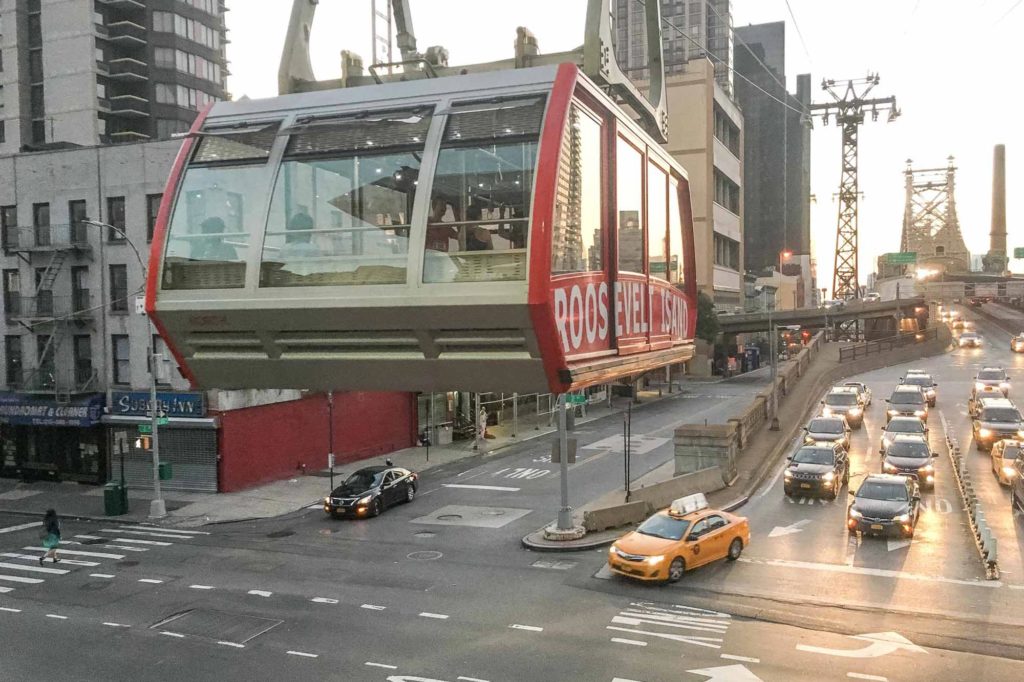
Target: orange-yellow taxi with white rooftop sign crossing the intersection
686,536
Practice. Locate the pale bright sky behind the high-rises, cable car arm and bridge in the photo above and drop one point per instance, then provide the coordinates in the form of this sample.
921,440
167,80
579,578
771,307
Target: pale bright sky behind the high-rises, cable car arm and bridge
955,67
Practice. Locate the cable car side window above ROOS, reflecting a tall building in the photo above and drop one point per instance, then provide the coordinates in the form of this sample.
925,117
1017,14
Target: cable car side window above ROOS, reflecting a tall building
577,244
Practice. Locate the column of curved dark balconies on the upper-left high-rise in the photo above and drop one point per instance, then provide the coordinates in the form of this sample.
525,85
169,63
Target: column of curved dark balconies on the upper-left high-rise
122,38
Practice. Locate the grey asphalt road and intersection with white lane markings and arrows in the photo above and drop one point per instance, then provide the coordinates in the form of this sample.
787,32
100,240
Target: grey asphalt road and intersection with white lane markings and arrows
441,589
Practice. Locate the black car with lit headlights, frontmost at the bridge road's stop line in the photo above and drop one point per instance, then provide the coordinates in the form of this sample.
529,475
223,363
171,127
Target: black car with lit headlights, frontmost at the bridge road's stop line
885,505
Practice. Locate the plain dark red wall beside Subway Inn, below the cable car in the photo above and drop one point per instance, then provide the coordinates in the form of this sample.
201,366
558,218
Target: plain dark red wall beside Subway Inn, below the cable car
274,442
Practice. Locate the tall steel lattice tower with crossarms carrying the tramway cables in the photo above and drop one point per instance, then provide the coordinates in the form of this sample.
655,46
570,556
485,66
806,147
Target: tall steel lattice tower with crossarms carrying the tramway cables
848,110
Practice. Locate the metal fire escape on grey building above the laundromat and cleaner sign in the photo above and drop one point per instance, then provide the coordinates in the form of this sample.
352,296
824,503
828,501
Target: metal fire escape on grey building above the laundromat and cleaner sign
49,315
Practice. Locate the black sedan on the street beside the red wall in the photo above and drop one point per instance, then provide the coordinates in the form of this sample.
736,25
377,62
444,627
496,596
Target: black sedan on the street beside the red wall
371,491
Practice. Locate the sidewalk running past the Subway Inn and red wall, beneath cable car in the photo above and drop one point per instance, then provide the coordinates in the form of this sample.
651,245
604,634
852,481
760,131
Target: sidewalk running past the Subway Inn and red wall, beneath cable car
284,497
